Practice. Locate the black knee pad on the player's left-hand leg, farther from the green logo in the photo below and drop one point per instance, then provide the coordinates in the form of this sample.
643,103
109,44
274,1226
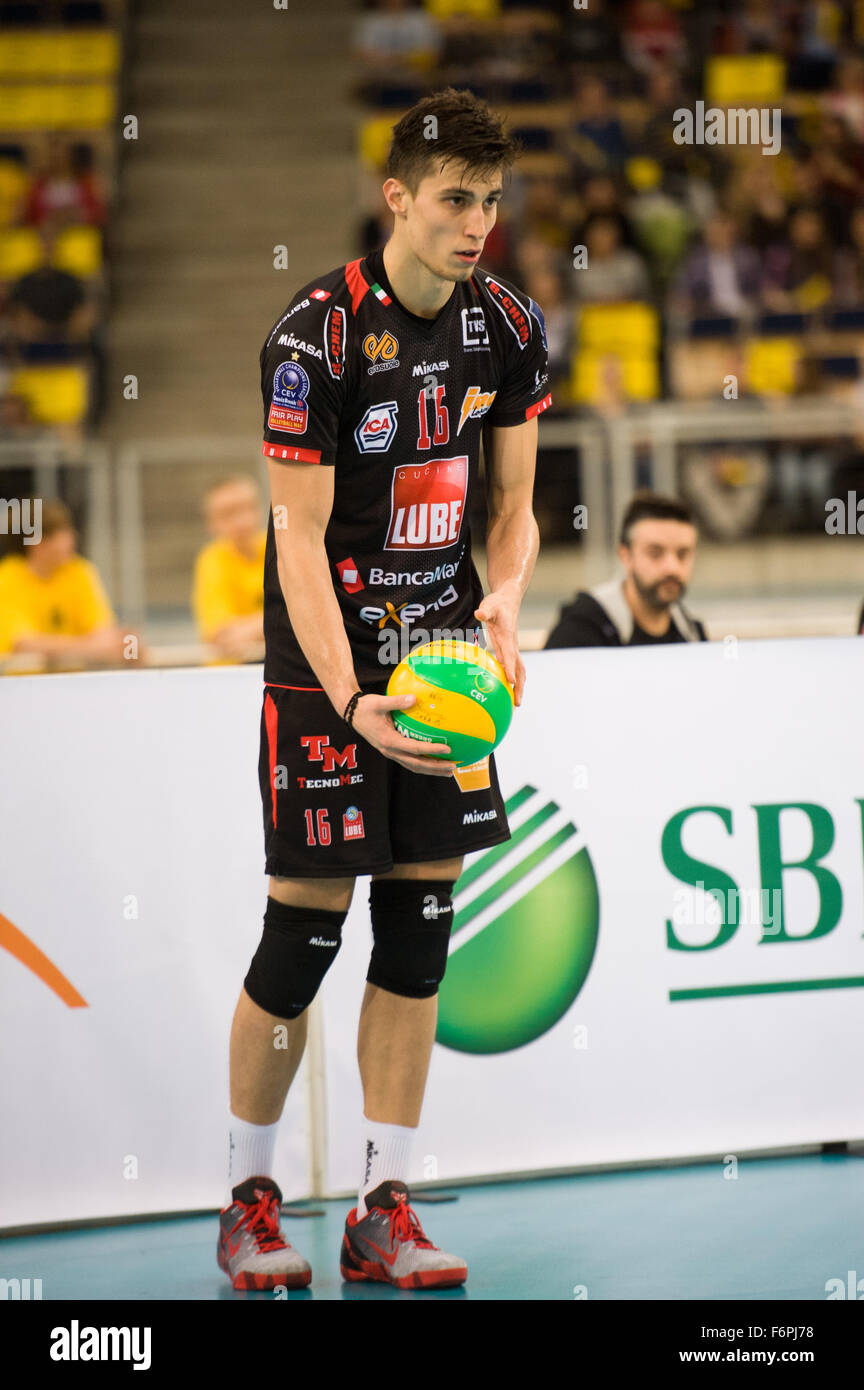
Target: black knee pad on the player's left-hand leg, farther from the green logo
297,951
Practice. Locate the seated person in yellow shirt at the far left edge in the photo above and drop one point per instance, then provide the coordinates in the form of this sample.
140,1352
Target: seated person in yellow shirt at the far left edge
52,601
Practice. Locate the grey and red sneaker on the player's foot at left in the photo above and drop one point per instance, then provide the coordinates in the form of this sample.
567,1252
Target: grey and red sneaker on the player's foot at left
252,1250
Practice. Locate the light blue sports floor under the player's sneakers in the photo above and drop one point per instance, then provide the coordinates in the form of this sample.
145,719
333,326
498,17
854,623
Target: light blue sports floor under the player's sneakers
781,1229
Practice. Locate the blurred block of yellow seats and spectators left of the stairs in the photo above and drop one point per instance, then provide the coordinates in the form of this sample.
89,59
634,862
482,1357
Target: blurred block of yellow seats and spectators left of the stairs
59,74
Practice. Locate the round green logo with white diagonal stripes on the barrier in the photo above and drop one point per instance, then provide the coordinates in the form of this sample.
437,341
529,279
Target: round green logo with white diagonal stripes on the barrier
524,935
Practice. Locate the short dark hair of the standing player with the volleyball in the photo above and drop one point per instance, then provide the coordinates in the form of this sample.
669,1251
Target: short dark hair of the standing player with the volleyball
467,131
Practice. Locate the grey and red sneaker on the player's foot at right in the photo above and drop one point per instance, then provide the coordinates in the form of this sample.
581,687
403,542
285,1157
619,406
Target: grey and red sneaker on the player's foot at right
390,1246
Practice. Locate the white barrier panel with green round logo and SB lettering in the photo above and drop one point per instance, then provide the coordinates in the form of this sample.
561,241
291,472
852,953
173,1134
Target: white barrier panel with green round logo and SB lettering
579,1027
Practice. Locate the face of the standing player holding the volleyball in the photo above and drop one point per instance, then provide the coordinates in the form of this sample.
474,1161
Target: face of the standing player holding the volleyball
449,219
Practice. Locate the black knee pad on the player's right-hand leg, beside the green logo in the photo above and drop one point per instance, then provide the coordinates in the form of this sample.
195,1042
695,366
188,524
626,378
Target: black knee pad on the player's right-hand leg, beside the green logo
412,921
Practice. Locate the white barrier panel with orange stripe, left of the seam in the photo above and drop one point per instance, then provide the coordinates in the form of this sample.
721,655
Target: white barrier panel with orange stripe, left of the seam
133,860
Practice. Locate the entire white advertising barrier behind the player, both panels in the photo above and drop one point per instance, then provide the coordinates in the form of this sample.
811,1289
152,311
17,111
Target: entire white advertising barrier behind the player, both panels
597,1010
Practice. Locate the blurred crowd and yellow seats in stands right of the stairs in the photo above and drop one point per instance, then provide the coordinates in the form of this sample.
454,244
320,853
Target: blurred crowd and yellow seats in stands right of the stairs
665,269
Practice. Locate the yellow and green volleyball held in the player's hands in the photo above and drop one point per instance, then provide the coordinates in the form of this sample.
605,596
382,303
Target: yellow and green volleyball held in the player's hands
463,700
